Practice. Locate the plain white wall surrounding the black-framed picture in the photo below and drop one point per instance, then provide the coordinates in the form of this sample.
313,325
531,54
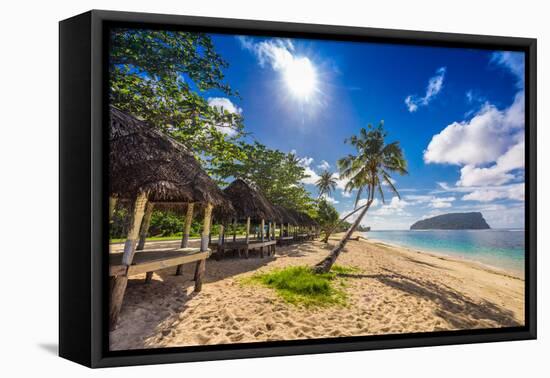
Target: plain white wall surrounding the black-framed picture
29,161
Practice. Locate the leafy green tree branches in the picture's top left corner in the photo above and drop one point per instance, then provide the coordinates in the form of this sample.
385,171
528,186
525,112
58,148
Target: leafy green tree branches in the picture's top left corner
159,76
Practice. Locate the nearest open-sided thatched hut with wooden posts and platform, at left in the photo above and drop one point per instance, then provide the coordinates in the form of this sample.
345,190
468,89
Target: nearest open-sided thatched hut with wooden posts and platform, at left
148,167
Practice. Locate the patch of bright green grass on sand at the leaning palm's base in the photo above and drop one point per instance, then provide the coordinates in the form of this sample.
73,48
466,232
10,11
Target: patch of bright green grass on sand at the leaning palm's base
300,286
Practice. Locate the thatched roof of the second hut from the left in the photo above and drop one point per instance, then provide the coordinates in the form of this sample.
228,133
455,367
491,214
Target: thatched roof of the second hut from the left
249,202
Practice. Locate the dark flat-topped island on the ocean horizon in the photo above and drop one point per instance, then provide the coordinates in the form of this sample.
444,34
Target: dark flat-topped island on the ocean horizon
453,221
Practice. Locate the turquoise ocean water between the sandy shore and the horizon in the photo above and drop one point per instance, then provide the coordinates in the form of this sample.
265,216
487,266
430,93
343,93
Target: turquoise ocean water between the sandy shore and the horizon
503,249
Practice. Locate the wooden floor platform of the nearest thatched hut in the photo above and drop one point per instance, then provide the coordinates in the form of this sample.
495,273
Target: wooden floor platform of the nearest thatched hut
152,260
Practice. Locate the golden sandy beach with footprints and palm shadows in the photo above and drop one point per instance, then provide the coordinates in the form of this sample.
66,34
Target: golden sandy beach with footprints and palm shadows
396,291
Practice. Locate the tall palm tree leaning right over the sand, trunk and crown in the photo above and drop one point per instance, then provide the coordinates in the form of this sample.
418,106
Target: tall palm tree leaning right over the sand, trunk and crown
366,172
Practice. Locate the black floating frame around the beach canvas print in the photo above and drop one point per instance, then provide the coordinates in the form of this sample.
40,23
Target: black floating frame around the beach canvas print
83,230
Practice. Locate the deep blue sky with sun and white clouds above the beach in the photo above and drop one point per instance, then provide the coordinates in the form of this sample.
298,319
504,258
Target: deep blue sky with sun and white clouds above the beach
458,114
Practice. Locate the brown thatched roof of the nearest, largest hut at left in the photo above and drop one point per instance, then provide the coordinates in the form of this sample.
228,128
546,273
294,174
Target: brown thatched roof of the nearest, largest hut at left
142,158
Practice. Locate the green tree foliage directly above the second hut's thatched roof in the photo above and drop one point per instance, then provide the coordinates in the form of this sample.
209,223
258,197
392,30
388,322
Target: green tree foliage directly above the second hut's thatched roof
276,174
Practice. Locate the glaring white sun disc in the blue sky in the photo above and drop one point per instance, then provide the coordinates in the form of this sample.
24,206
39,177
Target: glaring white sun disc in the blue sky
301,78
